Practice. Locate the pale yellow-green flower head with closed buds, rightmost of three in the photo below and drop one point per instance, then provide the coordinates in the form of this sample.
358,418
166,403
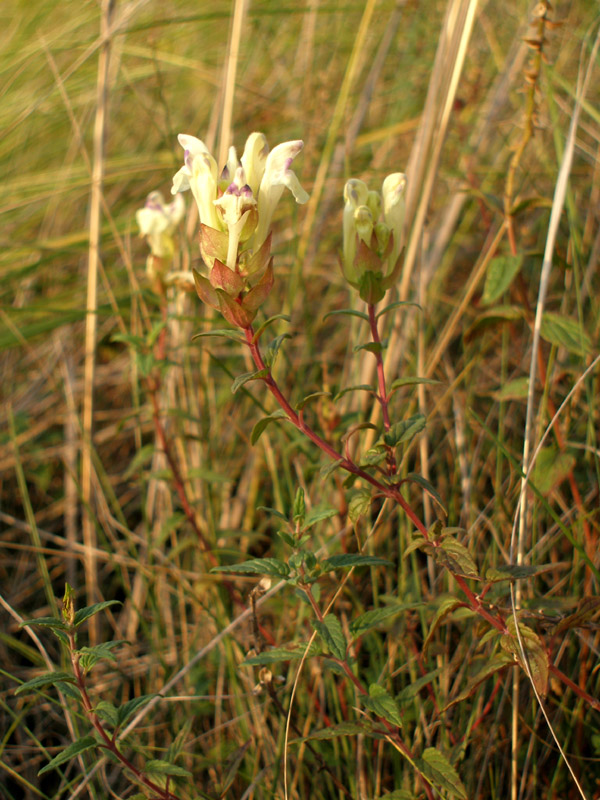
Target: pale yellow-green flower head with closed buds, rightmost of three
373,235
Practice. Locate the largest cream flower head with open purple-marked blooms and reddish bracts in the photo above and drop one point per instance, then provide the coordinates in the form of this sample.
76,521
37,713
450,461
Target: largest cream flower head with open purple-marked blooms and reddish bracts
236,210
